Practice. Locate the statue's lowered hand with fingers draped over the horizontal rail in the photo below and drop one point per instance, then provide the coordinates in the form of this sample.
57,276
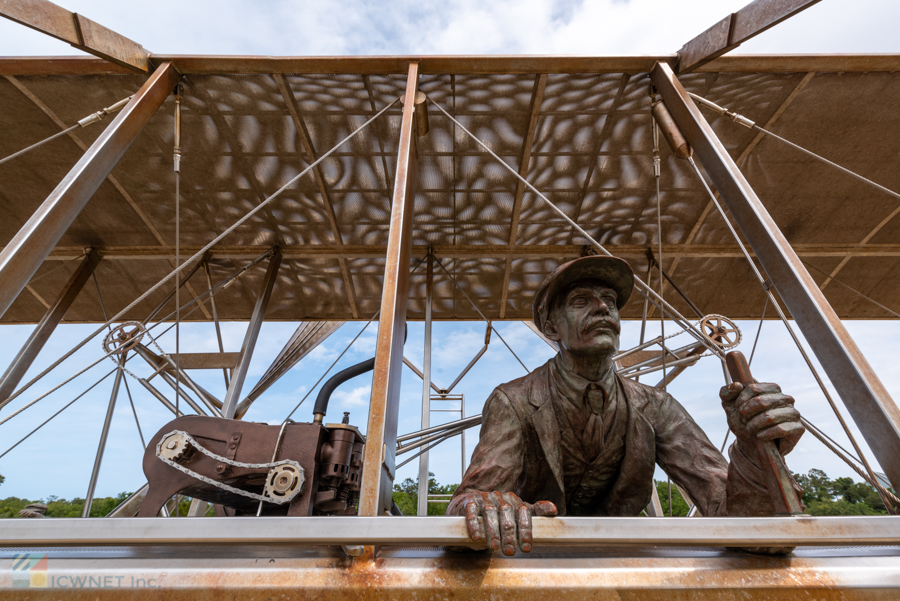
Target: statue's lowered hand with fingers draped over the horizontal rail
506,519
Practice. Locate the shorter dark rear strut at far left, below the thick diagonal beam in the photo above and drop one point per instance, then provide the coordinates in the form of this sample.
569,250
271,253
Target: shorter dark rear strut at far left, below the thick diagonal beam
46,326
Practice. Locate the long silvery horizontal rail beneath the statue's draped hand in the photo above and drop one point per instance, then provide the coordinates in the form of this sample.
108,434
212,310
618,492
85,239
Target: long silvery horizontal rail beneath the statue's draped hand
728,532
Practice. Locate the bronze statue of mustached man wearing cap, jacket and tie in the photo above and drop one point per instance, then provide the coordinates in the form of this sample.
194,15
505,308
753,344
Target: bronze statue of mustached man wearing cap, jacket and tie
573,437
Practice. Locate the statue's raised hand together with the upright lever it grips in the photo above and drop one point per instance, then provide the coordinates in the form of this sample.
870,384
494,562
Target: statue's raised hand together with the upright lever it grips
759,414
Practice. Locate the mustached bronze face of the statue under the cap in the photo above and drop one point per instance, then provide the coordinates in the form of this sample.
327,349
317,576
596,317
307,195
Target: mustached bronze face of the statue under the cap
584,319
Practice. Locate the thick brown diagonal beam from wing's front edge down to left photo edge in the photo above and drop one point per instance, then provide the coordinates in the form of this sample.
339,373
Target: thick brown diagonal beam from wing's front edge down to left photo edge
20,259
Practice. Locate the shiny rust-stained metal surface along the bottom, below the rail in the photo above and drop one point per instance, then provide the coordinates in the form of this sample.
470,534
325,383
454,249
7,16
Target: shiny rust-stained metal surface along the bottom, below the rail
420,575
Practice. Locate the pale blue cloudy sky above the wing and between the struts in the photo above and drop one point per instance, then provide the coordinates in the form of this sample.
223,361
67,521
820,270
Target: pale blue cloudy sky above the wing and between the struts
57,459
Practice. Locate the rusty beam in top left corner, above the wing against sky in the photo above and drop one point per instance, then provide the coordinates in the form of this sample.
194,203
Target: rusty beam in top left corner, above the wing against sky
77,30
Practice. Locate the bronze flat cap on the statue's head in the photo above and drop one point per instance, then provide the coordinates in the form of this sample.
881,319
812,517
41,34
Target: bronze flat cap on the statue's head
610,271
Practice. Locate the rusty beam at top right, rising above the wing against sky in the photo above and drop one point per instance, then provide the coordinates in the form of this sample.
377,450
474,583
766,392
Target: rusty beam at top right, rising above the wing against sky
735,29
